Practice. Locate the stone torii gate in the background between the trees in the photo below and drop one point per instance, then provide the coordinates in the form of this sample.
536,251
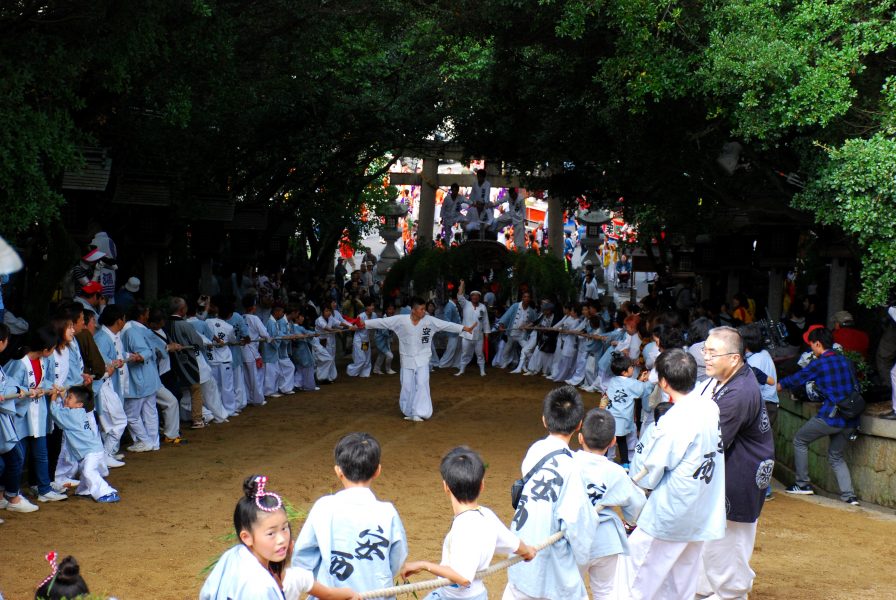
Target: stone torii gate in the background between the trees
431,152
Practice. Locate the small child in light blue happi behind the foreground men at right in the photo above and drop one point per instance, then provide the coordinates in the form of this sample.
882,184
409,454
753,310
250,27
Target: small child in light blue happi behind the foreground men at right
622,392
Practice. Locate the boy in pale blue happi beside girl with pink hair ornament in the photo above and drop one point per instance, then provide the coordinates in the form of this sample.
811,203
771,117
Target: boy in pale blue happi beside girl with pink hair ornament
351,539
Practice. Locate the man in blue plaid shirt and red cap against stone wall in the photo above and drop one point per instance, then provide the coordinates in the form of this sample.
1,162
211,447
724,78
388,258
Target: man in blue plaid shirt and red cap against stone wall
834,379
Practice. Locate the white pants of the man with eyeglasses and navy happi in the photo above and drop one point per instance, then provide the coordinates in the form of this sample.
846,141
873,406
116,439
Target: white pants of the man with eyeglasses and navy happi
726,572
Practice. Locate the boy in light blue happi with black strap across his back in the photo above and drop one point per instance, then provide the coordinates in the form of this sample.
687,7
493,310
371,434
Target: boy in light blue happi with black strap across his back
553,499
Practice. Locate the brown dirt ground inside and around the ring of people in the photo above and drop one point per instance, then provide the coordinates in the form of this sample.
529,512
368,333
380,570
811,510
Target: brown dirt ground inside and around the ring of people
178,503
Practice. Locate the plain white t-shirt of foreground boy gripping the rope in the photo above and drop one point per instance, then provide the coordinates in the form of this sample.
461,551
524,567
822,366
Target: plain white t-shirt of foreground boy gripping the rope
471,543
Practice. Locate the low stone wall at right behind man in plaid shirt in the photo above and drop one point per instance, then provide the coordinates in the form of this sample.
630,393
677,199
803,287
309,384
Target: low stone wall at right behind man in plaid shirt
871,457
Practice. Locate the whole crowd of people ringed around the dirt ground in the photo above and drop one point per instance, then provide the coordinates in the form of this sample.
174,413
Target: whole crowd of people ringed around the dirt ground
105,367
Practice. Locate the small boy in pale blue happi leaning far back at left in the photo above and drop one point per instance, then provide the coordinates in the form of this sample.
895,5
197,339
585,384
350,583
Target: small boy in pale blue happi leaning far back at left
82,440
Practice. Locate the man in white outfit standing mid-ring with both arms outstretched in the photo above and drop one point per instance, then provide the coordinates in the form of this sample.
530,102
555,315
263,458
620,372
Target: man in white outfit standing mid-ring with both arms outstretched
415,333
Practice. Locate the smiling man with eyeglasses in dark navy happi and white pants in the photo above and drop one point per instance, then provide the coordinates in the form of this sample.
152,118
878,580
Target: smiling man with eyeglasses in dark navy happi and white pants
749,460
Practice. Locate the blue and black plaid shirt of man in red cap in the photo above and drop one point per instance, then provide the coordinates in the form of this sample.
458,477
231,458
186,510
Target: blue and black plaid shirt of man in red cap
834,379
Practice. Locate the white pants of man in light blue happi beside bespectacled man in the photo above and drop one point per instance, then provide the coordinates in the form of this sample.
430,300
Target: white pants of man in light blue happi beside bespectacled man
661,570
